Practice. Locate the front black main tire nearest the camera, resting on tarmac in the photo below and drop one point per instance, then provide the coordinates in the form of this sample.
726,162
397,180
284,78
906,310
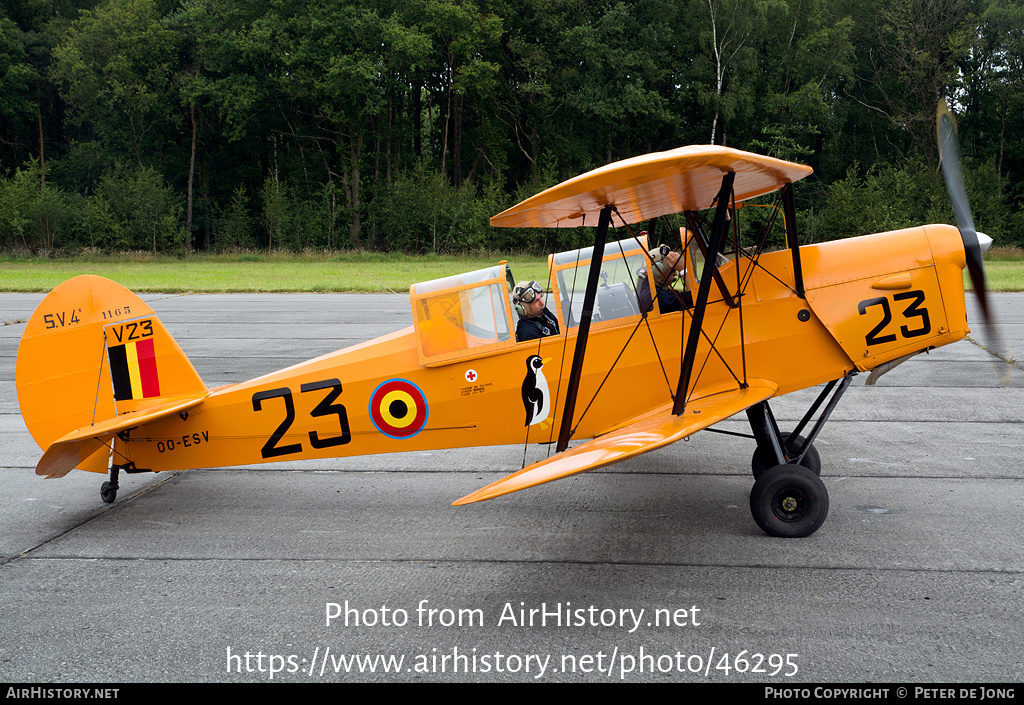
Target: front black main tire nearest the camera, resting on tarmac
789,502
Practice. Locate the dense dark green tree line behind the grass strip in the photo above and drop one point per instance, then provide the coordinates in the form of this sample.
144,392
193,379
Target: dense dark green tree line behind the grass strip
183,126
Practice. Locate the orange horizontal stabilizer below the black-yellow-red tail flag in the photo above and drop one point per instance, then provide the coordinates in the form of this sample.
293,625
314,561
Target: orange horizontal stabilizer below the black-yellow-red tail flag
69,451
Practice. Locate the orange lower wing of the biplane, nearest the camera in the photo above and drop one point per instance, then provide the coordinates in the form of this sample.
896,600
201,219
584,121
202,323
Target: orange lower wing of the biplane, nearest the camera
647,433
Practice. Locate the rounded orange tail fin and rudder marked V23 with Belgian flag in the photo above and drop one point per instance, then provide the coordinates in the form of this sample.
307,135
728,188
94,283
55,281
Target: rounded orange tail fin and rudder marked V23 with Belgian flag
92,352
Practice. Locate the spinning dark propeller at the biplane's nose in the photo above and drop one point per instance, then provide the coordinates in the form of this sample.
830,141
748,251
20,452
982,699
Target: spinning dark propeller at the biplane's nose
975,243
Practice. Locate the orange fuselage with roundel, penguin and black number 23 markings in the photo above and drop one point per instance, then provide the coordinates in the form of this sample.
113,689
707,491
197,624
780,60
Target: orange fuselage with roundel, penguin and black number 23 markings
869,301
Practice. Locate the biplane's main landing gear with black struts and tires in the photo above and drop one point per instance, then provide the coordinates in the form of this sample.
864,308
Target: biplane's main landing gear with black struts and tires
789,499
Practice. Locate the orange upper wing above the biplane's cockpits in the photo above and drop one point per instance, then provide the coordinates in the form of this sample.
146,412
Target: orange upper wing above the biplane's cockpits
658,184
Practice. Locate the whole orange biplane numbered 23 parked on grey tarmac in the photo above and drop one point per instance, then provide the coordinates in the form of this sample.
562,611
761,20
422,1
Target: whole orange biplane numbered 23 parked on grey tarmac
104,388
